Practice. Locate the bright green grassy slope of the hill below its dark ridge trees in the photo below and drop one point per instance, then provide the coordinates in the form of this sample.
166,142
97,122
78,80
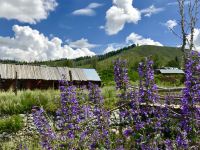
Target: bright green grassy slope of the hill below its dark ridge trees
161,54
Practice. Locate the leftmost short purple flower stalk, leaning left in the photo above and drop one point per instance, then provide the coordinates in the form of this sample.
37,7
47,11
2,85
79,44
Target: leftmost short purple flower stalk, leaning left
46,132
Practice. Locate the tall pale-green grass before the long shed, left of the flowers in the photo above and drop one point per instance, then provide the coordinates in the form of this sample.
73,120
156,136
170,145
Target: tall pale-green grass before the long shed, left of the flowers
22,103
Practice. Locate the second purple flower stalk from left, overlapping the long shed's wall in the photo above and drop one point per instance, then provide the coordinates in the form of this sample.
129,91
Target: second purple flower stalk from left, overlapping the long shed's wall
69,115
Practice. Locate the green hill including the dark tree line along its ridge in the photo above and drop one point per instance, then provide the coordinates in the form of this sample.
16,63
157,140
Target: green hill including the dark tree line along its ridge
131,54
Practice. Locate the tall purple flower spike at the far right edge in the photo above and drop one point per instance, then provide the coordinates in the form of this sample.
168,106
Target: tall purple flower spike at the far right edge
191,98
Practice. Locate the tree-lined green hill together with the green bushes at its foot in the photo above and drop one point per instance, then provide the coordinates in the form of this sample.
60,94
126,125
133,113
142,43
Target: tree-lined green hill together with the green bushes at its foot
162,56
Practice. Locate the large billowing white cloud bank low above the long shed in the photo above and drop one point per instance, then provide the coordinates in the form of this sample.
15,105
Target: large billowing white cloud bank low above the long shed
29,45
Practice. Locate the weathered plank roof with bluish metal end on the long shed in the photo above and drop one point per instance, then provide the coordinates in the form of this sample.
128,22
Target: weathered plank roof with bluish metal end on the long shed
8,71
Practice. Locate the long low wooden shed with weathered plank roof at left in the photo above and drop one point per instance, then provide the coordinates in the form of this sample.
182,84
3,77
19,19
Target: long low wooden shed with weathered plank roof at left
43,77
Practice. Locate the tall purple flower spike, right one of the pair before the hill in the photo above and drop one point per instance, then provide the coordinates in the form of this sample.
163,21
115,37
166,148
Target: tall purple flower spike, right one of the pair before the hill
151,117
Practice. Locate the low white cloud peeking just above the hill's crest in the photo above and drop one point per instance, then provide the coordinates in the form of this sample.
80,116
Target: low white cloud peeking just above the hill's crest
138,39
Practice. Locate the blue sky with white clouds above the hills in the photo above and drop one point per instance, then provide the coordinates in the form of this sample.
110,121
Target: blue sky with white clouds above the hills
53,29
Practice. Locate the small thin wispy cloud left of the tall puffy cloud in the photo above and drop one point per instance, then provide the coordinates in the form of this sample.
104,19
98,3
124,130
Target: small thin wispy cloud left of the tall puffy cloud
88,11
